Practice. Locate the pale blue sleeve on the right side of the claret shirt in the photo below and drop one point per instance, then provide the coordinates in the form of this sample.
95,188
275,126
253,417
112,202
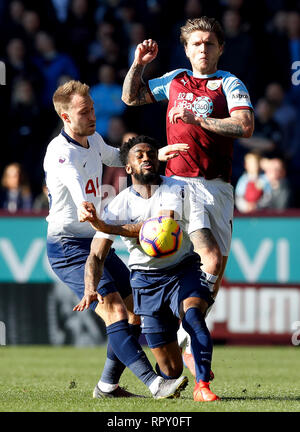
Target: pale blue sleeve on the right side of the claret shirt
236,94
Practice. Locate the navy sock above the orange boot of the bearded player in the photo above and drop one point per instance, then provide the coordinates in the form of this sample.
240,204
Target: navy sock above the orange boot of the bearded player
194,323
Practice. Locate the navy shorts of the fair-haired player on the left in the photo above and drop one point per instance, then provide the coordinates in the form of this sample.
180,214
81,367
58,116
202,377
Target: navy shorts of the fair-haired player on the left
67,257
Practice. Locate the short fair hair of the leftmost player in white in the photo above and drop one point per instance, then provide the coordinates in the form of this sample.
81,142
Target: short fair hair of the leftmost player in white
64,93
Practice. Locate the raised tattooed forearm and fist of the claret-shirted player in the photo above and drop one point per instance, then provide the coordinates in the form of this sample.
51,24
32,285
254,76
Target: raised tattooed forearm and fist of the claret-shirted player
135,91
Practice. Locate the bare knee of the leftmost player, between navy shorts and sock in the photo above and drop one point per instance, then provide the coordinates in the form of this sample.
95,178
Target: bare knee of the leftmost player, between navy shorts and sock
112,309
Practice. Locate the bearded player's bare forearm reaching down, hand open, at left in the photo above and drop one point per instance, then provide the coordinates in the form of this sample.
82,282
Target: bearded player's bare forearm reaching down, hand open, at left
93,272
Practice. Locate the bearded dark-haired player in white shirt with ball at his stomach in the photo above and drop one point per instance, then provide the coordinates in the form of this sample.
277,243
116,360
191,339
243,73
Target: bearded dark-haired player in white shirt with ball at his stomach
164,289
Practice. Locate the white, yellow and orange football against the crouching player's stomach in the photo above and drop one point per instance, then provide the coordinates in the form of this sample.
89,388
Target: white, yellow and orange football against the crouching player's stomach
160,236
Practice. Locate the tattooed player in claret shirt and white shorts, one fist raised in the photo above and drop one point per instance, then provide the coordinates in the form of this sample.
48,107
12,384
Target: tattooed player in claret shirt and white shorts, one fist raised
208,108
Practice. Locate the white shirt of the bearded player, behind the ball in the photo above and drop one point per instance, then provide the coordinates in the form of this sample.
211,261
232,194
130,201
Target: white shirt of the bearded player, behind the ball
129,207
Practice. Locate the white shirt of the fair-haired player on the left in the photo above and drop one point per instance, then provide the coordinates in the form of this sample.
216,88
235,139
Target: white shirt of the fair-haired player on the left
73,175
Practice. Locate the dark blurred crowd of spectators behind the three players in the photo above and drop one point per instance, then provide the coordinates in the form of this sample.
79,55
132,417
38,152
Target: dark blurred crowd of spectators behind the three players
45,43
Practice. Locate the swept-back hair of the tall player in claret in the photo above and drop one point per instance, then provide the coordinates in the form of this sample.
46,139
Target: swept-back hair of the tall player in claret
204,24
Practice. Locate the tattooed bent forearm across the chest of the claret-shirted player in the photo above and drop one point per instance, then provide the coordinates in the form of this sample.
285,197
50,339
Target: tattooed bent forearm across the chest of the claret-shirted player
239,125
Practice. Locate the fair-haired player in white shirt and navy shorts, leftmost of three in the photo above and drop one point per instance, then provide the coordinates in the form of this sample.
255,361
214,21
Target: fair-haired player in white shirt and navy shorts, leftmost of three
73,169
